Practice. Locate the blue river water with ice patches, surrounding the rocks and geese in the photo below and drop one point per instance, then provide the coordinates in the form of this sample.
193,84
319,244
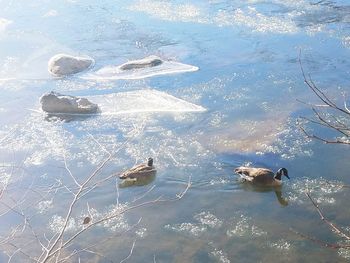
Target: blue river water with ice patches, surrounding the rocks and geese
240,108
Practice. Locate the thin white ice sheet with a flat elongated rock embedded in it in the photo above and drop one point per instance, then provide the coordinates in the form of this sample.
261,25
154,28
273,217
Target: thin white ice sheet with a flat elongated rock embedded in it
138,69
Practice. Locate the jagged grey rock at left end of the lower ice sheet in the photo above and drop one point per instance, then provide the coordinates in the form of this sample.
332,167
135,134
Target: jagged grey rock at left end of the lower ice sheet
54,102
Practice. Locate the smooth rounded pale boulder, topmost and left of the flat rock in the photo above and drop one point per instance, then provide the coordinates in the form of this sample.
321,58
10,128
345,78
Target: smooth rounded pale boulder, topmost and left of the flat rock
63,64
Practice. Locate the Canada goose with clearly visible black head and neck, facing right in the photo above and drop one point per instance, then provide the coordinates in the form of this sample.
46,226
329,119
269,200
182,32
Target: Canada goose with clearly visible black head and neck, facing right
262,176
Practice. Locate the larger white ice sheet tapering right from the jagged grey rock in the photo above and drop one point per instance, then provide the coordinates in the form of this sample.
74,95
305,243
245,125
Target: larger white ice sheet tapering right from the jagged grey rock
142,101
